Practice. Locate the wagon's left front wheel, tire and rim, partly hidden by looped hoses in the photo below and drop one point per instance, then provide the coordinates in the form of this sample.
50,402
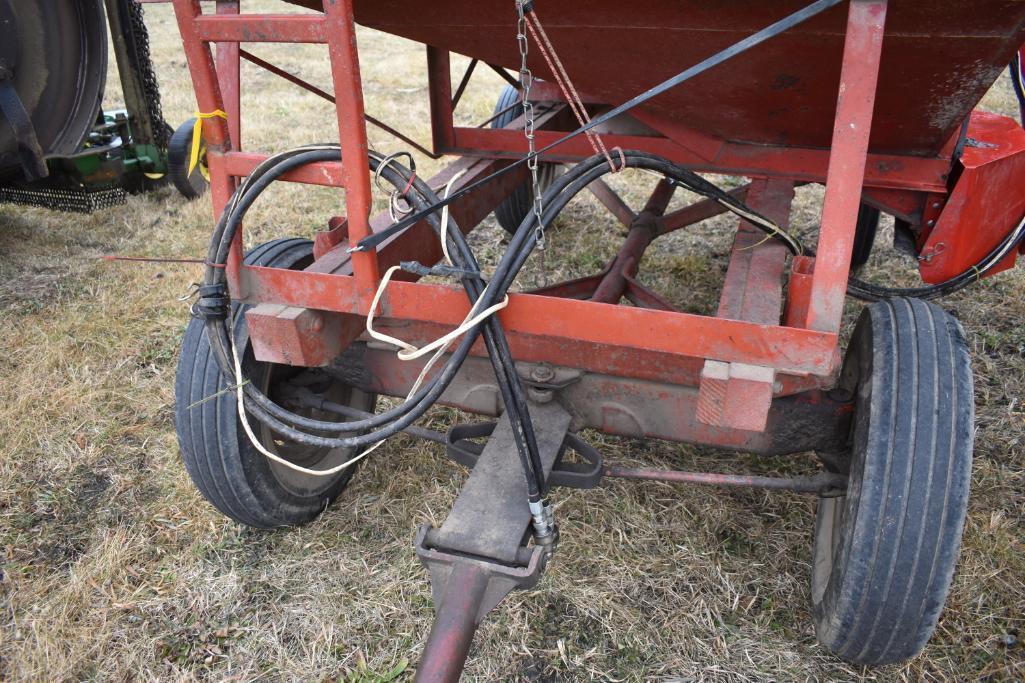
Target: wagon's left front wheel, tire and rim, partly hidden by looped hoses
230,473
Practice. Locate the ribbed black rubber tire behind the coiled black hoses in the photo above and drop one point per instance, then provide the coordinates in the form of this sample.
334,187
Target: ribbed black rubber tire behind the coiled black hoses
226,468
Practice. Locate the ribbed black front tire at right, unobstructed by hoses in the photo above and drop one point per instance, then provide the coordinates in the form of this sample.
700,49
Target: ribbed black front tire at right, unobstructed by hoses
885,554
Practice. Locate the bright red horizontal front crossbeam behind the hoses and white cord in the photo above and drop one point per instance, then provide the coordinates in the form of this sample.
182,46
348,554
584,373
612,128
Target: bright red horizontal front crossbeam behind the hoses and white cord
575,328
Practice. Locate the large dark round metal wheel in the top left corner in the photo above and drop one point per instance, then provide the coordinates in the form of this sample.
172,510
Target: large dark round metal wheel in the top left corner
59,51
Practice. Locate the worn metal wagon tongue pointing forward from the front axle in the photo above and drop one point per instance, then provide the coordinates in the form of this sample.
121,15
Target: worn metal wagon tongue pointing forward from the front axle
479,555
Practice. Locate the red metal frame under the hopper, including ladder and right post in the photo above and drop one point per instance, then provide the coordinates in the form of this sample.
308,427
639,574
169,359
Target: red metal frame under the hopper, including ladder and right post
748,355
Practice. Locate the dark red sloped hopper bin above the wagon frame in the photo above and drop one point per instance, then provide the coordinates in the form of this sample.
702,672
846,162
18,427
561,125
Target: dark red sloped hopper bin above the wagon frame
950,52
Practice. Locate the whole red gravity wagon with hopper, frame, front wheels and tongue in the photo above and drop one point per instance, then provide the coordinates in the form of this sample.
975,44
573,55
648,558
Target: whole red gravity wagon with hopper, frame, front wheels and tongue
875,100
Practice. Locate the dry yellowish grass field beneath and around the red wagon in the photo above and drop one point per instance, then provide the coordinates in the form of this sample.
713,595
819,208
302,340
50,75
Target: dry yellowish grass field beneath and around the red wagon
115,570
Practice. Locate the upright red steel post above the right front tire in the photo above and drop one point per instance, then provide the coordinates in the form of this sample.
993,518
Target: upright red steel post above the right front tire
863,57
